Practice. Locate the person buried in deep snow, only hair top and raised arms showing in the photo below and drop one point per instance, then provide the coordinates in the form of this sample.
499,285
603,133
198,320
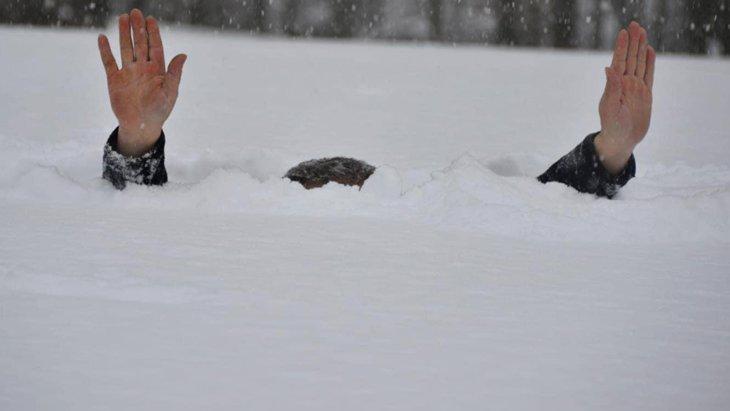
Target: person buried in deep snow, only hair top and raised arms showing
143,92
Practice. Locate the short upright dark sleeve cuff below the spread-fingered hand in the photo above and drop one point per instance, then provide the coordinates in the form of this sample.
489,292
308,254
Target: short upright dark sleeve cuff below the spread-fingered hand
148,169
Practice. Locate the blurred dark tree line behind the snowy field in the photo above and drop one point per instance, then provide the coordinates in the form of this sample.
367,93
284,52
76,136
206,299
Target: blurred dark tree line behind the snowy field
695,26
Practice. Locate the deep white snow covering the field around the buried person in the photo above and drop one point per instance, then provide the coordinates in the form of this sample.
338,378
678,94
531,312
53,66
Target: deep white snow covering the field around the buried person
453,280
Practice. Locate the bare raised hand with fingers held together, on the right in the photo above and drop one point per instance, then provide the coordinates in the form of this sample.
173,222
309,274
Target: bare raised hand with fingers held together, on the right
625,107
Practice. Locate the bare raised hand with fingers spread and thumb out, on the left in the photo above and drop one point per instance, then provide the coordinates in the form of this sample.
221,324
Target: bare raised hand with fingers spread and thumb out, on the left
142,93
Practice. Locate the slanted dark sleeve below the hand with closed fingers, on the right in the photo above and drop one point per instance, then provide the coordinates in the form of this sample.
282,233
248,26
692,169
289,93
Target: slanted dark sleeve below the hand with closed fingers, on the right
583,170
